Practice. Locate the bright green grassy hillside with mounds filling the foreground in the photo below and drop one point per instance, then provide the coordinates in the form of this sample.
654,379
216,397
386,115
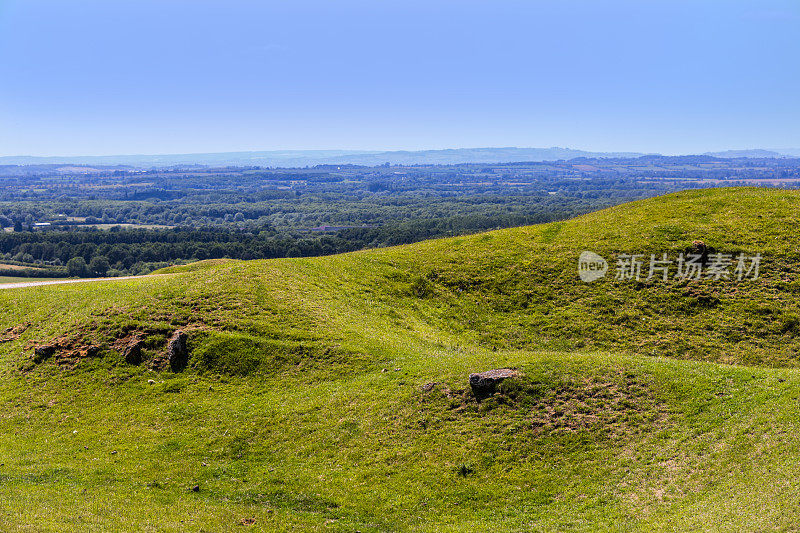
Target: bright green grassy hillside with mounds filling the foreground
331,393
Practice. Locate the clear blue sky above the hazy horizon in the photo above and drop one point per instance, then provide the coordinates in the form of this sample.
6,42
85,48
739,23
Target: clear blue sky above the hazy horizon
168,76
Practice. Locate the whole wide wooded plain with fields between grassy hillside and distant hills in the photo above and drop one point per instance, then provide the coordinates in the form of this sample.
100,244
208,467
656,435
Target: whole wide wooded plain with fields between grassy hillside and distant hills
98,221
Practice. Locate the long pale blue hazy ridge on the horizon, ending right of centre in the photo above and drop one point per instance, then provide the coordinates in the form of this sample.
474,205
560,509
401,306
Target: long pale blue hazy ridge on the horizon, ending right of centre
302,158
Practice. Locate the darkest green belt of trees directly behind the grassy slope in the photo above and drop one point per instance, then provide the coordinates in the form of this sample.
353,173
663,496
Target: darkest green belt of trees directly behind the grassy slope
121,251
